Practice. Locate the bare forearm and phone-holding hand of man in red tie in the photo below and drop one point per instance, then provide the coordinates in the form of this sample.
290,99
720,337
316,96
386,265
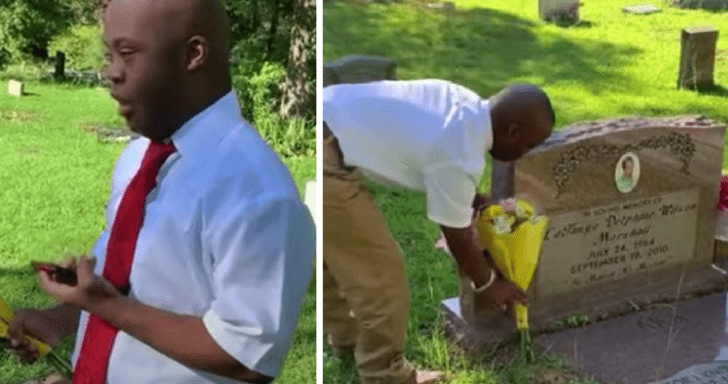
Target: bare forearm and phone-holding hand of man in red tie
182,338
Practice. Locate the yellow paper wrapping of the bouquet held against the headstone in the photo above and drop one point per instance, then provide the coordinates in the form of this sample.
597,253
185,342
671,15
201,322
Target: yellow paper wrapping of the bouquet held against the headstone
515,254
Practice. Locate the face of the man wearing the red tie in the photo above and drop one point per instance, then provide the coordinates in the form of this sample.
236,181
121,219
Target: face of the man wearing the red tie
143,67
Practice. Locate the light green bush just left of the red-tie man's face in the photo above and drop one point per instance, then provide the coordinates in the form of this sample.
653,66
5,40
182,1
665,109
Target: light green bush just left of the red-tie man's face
82,45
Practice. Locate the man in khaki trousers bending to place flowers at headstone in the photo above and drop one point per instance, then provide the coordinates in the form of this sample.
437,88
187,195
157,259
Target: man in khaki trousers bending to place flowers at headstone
424,135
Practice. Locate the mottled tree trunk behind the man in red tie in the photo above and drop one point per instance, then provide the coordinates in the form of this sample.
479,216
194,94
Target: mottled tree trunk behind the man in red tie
296,92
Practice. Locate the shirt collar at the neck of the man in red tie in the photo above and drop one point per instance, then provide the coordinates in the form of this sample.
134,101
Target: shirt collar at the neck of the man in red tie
209,126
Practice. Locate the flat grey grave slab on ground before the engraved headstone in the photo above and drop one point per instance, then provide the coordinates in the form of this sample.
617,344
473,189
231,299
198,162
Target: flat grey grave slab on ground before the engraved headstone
666,344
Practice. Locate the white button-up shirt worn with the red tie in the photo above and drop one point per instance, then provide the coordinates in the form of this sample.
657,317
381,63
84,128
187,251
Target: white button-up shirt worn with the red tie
225,237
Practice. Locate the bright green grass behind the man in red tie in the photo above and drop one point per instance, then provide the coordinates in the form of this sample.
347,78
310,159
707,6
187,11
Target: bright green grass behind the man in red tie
55,178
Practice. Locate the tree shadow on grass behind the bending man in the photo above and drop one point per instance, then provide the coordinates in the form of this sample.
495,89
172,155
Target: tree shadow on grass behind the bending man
483,49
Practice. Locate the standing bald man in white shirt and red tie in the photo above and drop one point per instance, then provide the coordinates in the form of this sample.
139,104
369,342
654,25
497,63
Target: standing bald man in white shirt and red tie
225,251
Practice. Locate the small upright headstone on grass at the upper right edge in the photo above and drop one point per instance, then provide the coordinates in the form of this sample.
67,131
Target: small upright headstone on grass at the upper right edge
697,57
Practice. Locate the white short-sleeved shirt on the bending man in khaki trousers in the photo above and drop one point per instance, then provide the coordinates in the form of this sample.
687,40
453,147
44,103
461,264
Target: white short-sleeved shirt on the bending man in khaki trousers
426,135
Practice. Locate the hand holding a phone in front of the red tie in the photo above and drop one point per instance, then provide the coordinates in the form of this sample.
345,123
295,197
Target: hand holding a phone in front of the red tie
91,291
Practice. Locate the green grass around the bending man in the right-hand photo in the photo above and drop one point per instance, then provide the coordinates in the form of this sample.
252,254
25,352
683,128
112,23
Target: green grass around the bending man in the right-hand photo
612,64
